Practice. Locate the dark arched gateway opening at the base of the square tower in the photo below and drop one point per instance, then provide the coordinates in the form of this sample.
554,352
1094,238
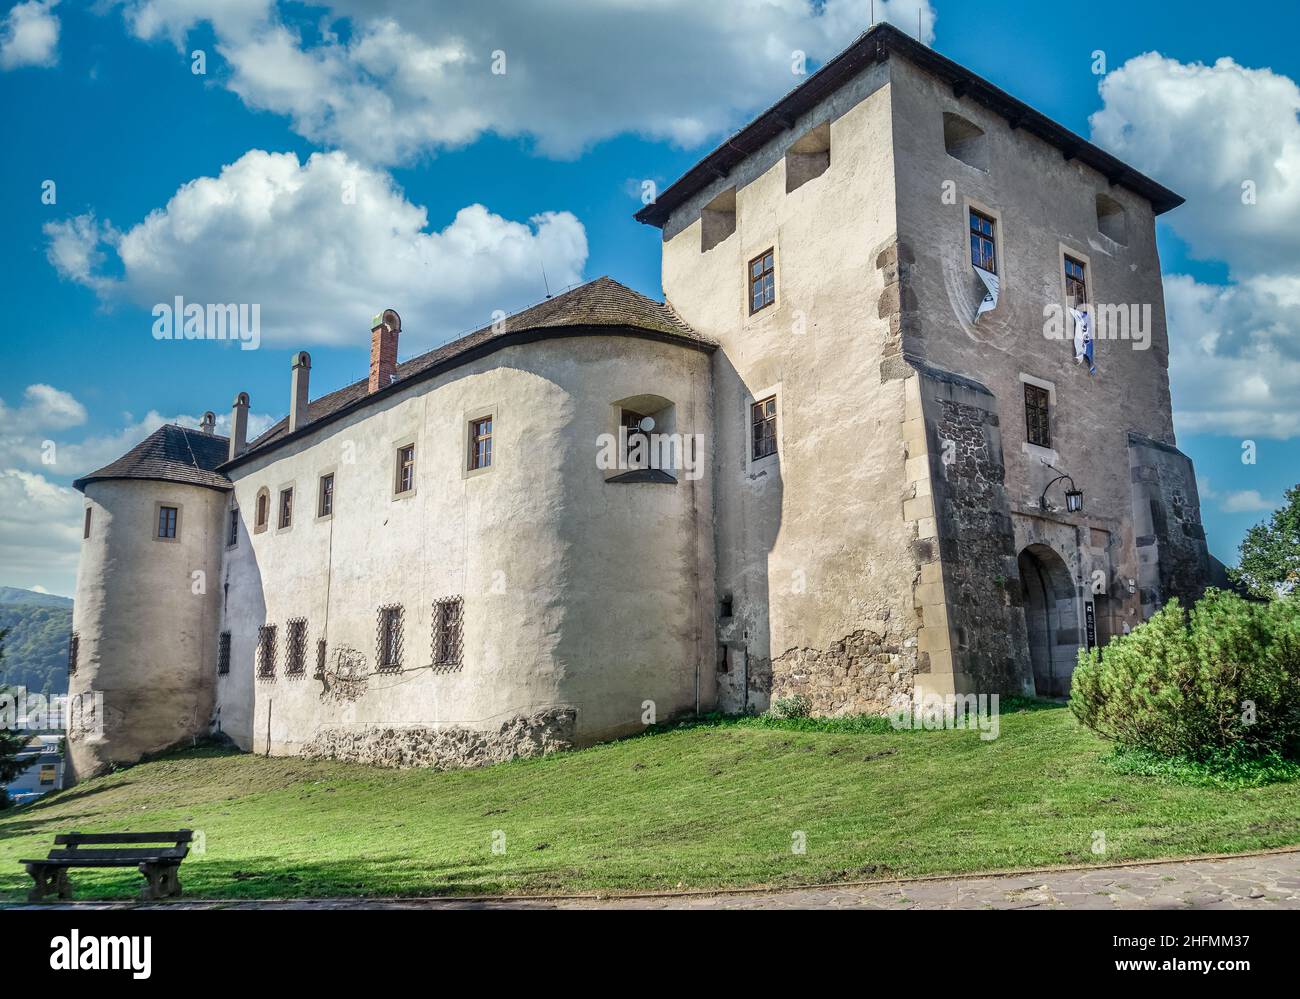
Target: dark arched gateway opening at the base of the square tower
1052,617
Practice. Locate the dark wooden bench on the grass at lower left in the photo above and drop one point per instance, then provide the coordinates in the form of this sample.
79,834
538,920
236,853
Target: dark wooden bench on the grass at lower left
159,863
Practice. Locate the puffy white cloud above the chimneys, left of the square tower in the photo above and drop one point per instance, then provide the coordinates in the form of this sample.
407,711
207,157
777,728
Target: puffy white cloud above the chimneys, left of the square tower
281,235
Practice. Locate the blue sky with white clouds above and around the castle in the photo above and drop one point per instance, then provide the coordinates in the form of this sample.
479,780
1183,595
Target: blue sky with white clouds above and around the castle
398,100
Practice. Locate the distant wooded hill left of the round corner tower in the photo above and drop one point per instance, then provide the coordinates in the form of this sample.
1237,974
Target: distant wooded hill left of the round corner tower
36,650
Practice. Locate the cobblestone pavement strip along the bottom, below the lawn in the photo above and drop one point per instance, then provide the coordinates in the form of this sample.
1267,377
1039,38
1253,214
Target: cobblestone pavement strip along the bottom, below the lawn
1269,881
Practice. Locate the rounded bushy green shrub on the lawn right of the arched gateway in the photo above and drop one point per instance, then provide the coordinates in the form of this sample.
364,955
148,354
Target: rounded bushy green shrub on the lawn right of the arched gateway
1224,678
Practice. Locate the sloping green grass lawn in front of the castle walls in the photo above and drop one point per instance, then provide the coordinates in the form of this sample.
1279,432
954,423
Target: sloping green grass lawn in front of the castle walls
704,806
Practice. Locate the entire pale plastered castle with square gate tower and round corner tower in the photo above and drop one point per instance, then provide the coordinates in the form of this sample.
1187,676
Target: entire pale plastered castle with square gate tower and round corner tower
889,469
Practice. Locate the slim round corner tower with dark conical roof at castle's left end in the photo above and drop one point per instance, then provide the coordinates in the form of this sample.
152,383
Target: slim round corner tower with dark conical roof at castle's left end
149,600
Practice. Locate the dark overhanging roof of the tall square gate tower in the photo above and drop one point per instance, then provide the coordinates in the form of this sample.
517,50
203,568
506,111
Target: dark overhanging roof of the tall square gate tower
874,46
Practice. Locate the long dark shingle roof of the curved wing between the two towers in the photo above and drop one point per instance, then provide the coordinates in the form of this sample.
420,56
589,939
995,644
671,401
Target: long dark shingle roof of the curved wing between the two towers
600,306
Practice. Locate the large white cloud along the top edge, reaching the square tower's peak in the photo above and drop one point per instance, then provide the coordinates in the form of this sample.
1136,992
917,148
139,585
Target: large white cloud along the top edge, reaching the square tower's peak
415,76
